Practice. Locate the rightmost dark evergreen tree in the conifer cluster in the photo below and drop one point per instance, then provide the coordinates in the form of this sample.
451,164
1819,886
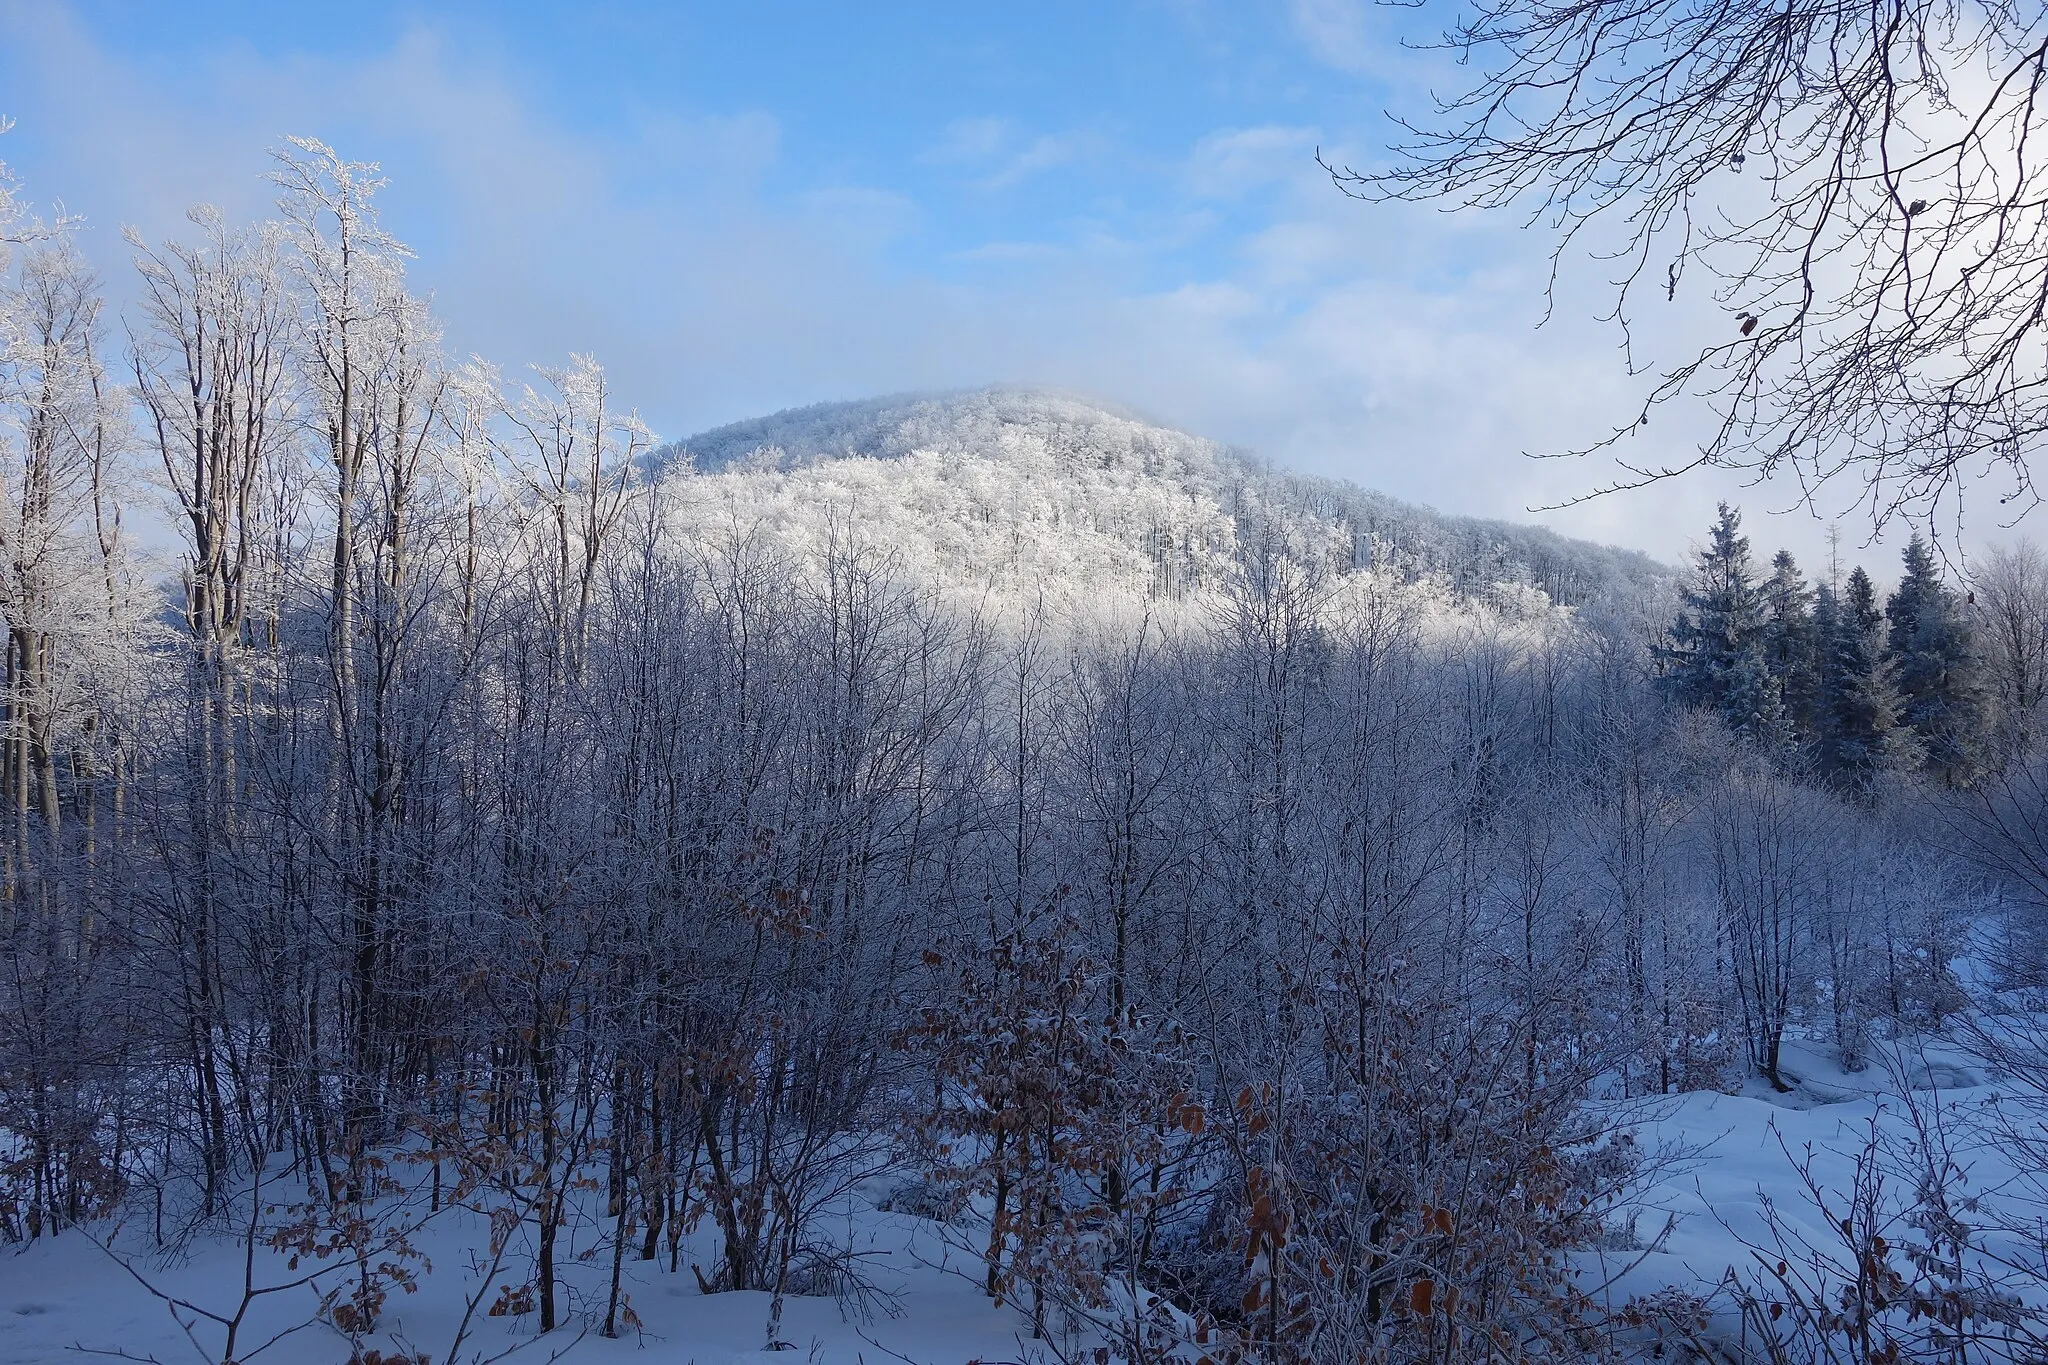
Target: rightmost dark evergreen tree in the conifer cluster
1934,658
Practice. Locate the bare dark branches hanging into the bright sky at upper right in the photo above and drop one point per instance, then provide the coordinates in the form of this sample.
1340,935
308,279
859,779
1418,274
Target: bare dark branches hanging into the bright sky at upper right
1859,191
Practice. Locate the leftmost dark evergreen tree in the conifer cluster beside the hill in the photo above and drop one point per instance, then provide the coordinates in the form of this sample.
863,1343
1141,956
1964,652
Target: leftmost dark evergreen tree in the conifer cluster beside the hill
1717,656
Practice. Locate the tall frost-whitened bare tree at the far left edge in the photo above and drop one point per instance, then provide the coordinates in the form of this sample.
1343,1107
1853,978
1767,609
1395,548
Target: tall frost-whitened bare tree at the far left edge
69,742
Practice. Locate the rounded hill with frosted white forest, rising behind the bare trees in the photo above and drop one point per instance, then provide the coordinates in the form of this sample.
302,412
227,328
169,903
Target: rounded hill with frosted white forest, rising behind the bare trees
1031,490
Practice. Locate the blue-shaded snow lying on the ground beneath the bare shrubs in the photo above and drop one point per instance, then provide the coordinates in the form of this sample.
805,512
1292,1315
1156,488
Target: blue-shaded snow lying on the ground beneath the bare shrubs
1717,1163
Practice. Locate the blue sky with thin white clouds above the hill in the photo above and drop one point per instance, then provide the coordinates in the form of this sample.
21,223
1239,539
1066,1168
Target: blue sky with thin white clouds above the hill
744,208
